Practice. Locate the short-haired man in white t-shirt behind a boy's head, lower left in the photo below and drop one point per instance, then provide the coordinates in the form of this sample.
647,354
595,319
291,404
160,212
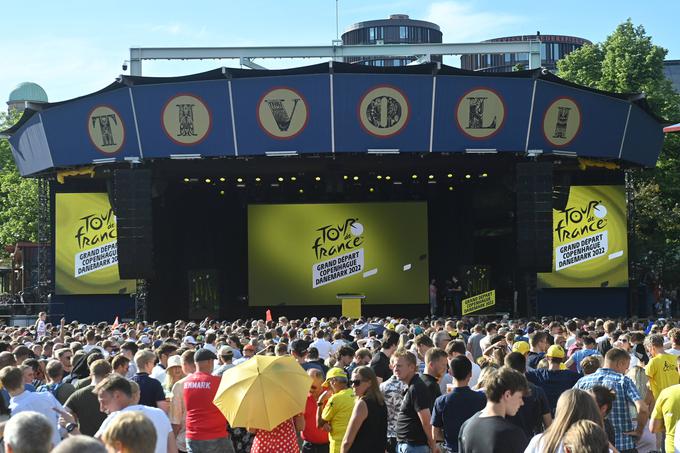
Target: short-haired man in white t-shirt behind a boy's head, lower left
116,394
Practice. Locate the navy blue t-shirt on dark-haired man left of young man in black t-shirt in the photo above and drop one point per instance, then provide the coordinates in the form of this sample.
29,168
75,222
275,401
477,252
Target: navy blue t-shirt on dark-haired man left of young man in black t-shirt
450,411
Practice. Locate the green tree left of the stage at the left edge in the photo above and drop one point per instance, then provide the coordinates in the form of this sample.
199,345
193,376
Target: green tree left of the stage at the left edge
18,196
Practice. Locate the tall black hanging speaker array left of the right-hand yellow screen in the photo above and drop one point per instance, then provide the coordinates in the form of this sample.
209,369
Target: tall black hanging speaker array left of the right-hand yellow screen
534,215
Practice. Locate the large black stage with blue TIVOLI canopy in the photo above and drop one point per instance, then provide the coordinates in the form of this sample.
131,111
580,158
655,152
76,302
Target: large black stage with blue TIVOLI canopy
480,149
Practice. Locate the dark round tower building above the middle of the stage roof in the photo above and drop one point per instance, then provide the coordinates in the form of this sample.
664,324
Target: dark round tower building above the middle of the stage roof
397,29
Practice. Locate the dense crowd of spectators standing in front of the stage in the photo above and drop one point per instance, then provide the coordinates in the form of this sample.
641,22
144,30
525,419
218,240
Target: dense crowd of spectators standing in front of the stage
380,384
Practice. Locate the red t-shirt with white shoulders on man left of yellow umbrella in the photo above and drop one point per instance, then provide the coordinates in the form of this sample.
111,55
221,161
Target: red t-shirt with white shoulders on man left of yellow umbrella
204,419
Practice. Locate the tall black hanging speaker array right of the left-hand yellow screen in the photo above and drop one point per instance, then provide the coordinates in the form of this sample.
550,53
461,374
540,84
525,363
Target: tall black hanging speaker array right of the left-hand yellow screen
132,206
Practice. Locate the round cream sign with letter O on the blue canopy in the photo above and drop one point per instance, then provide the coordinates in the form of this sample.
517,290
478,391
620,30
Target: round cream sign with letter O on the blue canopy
383,111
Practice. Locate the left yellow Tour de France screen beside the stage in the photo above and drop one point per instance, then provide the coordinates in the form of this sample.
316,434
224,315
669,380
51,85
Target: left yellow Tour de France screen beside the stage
86,258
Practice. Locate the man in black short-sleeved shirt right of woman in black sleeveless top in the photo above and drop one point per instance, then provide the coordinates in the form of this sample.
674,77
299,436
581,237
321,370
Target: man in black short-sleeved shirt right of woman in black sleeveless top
414,432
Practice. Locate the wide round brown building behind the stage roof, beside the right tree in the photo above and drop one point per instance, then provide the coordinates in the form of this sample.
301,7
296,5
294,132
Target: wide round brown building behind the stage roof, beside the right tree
553,48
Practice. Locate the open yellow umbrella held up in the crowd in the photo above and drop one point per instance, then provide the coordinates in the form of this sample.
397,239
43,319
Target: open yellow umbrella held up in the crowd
262,392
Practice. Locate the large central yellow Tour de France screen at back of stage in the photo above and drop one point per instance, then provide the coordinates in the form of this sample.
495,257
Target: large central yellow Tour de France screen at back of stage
307,254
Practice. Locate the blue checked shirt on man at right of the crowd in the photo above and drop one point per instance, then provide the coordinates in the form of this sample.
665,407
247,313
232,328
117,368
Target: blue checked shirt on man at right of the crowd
626,392
